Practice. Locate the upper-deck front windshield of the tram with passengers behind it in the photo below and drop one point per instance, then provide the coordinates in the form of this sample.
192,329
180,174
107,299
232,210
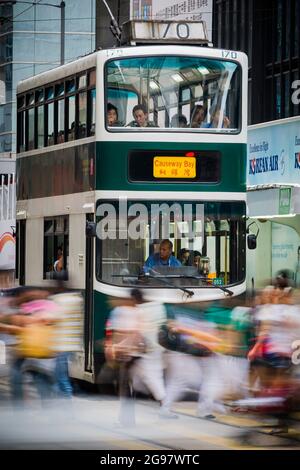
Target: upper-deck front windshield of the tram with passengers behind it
173,92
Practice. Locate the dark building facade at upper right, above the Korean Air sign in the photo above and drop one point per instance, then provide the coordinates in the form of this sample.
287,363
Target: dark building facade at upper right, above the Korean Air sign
269,32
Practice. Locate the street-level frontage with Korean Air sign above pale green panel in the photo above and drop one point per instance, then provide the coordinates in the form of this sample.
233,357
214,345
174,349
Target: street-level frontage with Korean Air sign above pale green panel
273,198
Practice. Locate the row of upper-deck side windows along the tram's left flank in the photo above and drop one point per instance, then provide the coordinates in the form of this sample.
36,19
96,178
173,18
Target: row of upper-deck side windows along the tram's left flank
57,112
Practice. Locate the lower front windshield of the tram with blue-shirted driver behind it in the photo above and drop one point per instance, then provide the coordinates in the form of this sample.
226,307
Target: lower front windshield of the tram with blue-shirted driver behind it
166,243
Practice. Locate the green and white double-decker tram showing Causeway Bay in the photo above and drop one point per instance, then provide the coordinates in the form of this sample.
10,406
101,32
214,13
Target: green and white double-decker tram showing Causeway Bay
140,145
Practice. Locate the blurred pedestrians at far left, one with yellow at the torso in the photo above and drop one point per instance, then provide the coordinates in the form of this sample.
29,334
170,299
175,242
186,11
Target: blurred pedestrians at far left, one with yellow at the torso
39,331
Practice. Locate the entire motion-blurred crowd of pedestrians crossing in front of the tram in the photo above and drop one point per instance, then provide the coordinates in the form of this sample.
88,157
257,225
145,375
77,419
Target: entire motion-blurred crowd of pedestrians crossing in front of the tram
234,353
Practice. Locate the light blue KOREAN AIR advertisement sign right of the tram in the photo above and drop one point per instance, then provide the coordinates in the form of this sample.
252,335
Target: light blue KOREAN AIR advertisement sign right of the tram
274,154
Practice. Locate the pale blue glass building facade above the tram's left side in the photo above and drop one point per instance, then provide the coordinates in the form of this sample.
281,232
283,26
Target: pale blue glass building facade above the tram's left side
30,43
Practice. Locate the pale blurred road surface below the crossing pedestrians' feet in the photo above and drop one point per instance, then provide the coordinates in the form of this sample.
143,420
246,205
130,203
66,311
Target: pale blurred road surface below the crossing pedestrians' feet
91,422
